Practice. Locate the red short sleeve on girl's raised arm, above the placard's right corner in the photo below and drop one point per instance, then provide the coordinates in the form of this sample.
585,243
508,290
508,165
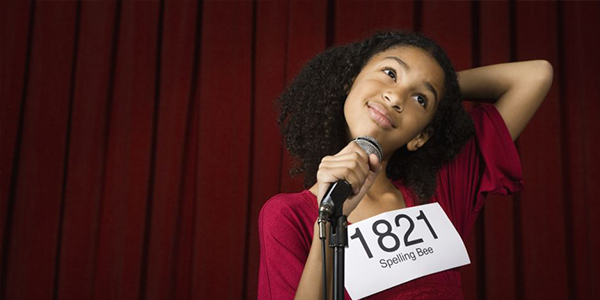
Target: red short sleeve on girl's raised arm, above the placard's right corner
487,164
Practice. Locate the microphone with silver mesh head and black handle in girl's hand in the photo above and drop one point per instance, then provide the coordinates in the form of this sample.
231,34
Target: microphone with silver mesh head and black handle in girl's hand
338,192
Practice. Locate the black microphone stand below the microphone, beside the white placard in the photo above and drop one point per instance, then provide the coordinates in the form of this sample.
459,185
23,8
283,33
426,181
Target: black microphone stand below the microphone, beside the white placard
338,240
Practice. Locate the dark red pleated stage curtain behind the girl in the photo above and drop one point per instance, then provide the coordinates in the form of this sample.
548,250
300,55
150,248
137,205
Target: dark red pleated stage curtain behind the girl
139,141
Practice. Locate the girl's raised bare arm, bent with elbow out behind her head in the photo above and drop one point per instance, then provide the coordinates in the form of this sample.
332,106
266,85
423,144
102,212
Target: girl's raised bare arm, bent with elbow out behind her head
519,87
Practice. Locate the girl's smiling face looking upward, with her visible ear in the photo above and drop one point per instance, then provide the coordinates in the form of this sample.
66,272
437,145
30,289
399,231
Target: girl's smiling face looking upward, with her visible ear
394,97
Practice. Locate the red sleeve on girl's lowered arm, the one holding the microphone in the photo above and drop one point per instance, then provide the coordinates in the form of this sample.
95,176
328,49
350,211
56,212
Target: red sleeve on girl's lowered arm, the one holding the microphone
285,233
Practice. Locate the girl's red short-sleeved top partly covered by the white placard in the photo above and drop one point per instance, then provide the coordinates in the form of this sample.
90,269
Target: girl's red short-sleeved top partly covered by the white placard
488,163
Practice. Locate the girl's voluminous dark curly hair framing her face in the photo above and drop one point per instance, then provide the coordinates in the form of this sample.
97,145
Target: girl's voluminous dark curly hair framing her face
311,113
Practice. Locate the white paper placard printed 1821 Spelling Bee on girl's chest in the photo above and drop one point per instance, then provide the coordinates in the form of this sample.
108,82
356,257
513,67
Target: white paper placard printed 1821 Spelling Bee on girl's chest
398,246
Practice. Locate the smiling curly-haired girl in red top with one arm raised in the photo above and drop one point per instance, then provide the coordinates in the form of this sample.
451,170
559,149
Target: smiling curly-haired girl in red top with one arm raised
401,89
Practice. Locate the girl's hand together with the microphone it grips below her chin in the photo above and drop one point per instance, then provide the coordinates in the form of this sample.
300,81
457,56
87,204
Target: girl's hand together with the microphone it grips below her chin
344,178
